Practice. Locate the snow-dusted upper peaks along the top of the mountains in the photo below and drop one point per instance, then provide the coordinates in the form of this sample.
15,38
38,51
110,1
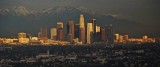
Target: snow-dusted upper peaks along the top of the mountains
23,11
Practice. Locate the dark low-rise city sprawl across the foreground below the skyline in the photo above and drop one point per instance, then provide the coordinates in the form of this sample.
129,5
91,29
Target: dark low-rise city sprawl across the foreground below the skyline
128,55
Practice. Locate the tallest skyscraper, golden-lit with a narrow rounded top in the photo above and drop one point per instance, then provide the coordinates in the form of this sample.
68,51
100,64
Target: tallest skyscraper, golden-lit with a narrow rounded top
82,29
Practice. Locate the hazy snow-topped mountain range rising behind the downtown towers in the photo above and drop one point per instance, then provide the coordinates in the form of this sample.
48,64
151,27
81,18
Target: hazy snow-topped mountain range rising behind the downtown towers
22,19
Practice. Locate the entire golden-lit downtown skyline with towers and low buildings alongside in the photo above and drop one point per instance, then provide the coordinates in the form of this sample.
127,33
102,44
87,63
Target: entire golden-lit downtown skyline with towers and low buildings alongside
81,33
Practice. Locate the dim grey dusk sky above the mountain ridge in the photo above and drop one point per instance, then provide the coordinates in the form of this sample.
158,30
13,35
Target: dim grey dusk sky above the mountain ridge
146,12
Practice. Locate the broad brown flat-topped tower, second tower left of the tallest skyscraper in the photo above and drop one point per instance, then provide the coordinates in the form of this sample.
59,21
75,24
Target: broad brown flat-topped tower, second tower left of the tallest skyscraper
70,31
